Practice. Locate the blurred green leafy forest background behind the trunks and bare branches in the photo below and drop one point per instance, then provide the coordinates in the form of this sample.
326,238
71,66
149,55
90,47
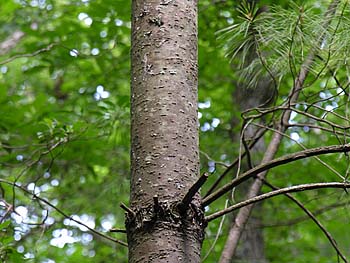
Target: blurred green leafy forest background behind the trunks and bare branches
65,143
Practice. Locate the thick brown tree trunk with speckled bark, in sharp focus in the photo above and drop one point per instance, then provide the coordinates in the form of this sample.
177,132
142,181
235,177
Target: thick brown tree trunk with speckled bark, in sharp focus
164,132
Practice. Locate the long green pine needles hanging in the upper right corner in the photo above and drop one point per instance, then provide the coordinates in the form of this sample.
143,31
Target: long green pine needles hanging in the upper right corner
274,42
